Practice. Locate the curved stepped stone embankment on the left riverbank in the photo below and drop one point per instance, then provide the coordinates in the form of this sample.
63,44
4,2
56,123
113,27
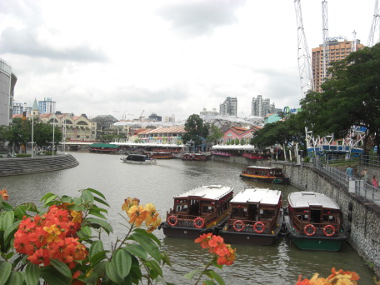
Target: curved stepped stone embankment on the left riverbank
28,165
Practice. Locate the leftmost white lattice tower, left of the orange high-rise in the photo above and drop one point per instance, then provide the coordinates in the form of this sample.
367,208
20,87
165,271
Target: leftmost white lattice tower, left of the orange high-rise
304,65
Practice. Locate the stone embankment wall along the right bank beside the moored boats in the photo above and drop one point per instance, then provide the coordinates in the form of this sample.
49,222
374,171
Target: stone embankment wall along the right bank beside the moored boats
361,219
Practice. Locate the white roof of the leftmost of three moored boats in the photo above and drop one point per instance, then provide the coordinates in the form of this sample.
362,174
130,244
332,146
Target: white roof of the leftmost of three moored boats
211,192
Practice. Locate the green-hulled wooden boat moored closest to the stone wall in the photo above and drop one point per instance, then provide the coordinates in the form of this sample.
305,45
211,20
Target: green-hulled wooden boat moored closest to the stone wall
314,222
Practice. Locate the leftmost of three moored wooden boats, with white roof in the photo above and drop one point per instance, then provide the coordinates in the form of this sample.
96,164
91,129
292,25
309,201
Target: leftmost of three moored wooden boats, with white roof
198,210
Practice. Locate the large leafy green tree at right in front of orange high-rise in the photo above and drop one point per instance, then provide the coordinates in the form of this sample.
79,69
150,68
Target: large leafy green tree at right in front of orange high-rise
351,97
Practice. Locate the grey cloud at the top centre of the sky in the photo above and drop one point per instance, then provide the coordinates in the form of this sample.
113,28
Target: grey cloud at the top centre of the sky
202,17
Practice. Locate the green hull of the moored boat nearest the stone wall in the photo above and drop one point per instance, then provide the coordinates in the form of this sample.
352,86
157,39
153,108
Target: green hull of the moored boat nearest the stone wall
319,243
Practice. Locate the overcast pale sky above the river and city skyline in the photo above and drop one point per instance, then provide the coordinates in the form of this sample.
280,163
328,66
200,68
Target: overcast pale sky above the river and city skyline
128,58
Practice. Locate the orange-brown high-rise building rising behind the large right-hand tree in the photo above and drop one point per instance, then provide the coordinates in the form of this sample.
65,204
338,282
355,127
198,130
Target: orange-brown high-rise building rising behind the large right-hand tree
337,50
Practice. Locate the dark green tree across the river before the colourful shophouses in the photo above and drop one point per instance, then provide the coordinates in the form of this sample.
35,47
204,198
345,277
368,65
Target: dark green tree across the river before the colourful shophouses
195,129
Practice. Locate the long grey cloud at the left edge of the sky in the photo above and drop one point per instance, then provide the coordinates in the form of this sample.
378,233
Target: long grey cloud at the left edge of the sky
26,42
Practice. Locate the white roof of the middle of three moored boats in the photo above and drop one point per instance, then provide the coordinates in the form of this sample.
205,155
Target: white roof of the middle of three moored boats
258,196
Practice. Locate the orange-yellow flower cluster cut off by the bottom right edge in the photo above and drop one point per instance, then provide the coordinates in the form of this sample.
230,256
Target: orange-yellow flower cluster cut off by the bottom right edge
336,277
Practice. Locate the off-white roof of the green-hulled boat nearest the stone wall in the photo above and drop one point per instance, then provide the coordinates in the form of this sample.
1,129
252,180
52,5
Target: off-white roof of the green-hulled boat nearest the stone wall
310,199
